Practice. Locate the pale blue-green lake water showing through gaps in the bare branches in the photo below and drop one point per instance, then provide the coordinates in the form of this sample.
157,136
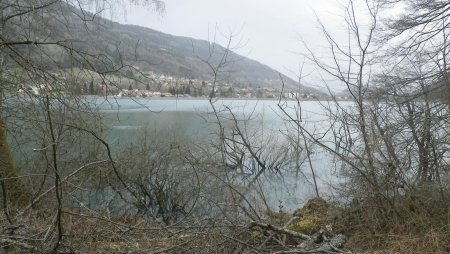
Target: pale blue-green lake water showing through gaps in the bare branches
191,121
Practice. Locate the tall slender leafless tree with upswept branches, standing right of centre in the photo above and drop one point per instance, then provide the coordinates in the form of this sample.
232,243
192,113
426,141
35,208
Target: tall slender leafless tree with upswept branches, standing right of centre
351,65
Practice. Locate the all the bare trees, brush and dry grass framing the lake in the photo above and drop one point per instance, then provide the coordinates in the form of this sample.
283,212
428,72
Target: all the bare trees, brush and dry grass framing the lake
65,188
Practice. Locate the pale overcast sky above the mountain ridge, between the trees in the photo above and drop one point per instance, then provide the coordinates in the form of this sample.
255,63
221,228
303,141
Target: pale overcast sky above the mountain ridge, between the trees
271,31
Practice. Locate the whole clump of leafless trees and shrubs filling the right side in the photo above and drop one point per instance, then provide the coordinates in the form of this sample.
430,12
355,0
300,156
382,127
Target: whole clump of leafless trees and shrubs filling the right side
389,142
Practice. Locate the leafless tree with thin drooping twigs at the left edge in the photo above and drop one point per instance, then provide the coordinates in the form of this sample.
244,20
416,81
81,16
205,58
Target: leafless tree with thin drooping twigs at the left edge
39,51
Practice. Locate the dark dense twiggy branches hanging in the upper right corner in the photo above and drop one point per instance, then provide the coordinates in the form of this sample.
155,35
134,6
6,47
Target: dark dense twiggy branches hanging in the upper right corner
421,32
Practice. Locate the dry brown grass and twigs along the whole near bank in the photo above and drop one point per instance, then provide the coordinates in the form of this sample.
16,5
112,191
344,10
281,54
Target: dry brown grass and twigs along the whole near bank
415,224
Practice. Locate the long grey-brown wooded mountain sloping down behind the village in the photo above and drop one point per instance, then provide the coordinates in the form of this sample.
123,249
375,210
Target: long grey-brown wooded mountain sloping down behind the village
149,50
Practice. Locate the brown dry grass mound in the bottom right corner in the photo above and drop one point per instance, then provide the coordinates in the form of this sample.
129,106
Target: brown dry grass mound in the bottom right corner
417,223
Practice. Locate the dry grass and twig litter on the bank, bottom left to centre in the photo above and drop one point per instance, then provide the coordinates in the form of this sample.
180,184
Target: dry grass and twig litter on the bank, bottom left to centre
99,234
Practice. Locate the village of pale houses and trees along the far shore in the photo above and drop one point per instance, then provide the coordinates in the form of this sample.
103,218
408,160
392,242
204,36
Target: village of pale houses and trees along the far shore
160,85
